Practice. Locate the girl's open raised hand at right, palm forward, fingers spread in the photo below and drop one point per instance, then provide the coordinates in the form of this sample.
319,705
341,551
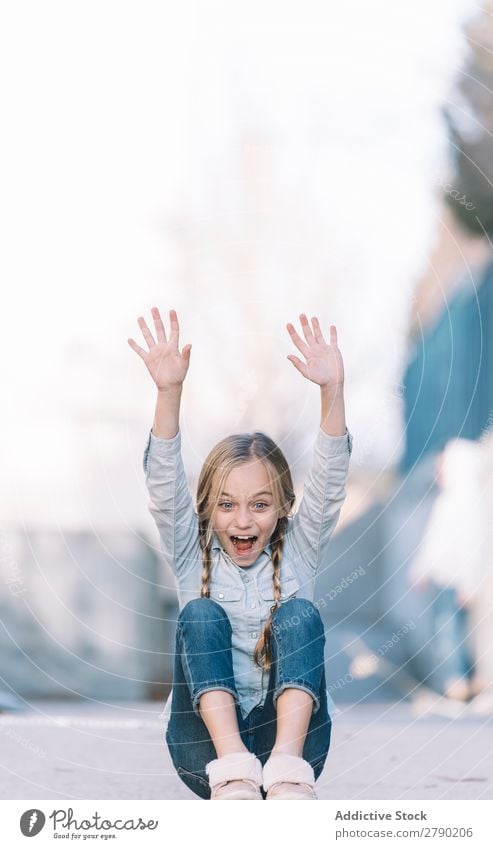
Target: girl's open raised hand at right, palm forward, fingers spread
324,364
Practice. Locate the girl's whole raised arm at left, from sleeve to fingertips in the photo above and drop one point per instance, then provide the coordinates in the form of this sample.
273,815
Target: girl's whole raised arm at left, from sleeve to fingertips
170,501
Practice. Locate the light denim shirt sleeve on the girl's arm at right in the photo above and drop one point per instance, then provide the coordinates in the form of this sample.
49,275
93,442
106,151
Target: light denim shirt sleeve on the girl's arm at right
324,493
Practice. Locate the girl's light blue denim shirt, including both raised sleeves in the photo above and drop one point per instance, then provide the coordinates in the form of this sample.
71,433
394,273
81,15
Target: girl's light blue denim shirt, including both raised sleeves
246,594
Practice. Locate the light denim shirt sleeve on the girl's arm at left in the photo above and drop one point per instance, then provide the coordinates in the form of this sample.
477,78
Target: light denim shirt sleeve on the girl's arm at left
170,503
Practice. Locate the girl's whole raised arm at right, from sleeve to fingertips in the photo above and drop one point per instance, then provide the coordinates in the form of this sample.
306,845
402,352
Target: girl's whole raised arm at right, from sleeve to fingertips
325,486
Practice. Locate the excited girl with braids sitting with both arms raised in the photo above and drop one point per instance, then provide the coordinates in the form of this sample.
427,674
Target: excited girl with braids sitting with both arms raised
248,716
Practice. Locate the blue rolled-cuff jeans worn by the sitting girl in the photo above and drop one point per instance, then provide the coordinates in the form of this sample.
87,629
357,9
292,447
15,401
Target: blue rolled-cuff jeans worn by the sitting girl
203,662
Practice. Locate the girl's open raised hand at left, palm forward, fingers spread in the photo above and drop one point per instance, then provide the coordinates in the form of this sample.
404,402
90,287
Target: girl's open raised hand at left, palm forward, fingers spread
167,367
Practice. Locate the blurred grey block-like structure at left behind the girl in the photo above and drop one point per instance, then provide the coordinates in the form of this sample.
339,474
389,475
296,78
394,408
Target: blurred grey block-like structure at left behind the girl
83,615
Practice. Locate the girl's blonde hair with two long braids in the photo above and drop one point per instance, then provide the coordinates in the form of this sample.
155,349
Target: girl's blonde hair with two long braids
226,455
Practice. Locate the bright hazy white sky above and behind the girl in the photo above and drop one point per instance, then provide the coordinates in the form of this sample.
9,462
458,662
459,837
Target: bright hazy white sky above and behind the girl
238,161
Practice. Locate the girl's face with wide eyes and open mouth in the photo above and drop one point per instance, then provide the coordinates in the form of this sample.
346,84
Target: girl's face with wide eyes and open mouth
245,514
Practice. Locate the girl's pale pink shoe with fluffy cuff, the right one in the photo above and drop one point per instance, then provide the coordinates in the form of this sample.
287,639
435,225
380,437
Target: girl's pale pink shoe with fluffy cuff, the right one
288,777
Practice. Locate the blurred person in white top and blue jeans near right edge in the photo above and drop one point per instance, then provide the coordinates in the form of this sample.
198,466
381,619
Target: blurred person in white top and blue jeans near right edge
451,565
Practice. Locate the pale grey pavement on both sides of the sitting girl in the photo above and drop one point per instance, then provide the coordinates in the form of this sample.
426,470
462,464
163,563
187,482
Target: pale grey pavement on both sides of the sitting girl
424,750
